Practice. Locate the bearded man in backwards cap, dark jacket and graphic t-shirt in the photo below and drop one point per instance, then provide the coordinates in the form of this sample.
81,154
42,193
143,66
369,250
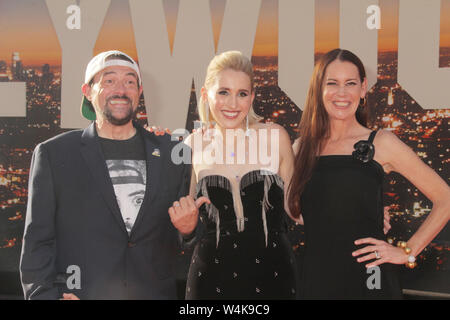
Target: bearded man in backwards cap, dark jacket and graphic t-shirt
97,225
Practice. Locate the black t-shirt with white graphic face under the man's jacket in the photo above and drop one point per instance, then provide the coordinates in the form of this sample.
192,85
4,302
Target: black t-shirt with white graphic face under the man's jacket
126,163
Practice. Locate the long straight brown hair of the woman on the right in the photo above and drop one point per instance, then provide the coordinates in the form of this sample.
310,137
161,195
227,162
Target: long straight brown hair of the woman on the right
315,125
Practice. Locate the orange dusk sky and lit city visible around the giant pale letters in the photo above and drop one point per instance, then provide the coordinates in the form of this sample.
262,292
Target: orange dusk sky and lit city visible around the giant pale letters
425,131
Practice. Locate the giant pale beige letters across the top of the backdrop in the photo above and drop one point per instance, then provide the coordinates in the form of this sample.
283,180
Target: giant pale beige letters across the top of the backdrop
168,75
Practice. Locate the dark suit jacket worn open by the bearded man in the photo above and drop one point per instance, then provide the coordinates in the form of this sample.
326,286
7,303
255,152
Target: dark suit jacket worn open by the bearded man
73,219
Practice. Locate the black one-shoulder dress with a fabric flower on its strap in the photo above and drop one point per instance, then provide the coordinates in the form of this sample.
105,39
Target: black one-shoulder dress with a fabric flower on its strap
343,202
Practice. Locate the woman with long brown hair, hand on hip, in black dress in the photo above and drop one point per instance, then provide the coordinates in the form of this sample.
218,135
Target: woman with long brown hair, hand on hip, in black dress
337,189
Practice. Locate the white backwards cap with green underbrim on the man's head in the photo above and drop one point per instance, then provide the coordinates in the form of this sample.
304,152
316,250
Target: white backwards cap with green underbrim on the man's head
97,64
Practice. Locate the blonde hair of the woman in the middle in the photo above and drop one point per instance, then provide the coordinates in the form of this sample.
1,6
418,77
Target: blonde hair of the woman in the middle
233,60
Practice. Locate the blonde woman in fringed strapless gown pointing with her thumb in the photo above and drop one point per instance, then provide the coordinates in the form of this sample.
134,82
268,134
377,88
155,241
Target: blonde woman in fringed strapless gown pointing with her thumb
240,170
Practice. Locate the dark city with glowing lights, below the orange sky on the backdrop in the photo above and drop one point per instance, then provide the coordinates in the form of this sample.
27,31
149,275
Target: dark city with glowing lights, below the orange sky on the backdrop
425,131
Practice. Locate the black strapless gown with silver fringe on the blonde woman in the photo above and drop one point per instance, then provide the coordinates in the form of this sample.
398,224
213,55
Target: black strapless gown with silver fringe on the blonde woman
243,258
